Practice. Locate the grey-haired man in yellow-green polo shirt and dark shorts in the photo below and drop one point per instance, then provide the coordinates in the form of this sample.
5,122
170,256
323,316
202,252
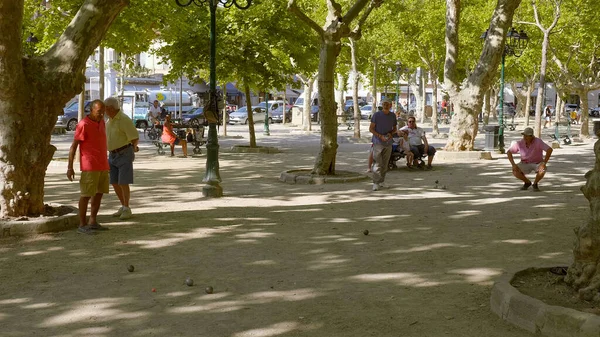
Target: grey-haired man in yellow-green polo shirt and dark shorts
122,139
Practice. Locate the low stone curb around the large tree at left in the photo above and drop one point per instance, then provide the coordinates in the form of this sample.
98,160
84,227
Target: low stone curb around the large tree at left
40,225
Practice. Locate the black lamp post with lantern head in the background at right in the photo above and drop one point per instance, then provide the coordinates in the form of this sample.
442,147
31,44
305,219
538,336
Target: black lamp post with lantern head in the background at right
514,46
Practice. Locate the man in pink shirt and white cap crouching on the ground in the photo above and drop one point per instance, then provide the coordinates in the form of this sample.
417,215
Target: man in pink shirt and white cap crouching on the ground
532,159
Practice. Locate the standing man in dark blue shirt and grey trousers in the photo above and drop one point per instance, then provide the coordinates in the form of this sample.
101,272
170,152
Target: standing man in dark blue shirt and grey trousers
383,126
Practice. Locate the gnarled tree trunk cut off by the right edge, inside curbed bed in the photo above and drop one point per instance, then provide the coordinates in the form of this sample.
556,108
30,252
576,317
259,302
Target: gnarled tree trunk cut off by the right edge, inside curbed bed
584,273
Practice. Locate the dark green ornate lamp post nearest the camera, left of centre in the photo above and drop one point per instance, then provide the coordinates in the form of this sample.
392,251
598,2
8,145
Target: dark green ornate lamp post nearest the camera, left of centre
211,110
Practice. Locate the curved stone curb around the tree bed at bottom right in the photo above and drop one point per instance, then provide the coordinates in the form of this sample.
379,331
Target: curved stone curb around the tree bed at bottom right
536,316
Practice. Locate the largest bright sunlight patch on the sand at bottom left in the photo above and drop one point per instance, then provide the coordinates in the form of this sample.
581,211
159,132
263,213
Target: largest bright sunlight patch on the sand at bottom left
101,310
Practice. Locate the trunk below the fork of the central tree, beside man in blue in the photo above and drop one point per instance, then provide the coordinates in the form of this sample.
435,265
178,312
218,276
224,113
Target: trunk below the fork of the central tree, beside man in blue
325,161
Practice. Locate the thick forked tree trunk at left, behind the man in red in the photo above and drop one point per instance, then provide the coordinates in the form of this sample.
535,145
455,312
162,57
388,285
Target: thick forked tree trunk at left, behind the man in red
35,89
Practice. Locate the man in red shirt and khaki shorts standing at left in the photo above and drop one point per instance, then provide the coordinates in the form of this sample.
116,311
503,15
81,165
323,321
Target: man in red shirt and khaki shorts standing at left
90,136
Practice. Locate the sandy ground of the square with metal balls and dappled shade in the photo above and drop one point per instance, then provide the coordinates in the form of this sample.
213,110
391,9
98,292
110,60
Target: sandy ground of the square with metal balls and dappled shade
292,260
